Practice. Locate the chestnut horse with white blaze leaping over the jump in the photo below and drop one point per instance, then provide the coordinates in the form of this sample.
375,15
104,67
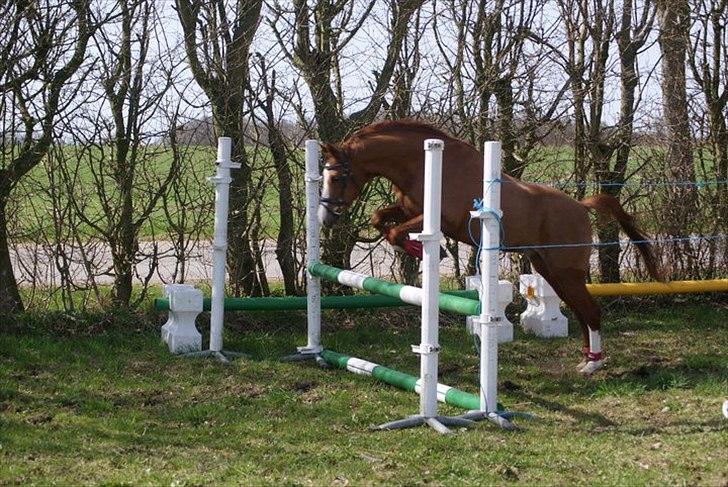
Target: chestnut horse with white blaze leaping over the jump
533,215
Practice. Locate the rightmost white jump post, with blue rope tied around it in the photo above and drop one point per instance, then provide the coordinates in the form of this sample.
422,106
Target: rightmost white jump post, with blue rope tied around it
490,316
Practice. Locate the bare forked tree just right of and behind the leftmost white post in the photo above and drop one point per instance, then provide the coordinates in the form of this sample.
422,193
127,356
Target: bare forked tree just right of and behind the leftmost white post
218,36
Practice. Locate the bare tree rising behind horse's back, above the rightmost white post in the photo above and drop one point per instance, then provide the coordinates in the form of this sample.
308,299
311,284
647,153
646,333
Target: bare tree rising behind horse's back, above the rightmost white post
485,56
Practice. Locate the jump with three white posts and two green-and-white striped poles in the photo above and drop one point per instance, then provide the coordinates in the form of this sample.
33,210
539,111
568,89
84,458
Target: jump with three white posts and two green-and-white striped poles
486,310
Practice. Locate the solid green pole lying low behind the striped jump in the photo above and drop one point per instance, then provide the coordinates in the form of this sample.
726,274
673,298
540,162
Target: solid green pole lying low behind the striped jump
285,303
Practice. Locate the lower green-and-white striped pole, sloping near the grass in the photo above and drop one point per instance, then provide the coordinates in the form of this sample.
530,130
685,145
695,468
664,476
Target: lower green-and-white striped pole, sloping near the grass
446,394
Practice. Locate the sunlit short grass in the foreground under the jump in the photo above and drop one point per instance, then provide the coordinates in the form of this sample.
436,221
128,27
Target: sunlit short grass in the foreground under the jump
82,406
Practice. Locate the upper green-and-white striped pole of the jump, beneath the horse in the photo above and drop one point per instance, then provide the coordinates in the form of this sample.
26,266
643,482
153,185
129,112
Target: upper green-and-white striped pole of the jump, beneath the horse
408,294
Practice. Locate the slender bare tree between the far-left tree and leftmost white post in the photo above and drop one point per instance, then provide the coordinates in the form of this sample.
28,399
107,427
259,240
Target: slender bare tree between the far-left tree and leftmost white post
119,147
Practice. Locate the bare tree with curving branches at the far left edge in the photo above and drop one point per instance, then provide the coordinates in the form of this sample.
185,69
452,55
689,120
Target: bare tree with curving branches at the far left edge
43,46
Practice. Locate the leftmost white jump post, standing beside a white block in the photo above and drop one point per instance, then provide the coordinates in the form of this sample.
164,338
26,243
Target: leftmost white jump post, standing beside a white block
222,181
